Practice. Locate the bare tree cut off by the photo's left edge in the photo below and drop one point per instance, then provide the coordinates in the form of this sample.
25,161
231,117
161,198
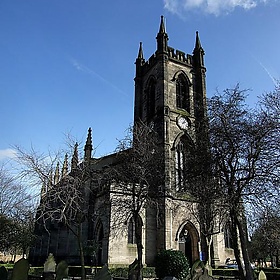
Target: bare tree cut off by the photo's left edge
16,204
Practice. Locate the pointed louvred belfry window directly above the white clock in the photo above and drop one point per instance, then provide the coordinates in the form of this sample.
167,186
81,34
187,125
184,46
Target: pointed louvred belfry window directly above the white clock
182,93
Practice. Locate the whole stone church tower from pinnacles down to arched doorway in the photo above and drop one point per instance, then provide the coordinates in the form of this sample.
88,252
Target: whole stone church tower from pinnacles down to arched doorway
170,96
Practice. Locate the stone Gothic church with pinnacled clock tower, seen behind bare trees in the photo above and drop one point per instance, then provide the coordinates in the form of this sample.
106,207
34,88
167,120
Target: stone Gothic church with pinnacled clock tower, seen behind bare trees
170,98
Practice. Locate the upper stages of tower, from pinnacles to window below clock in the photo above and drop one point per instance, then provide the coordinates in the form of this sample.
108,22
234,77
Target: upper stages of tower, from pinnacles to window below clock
170,96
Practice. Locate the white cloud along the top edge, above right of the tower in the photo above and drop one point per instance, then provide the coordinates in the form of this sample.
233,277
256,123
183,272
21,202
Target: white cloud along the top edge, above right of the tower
215,7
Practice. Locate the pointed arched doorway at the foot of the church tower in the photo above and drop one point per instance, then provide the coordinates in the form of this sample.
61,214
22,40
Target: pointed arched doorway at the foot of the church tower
187,237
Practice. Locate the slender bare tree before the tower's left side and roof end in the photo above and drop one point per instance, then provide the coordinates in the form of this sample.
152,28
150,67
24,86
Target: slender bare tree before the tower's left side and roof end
137,178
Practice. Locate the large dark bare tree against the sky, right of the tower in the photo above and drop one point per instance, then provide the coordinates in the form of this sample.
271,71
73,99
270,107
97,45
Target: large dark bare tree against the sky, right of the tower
245,152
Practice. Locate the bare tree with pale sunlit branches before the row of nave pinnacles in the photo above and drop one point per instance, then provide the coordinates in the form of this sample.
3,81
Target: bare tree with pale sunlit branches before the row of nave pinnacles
63,199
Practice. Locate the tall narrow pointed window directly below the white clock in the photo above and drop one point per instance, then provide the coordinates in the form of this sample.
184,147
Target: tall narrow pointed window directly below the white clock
180,165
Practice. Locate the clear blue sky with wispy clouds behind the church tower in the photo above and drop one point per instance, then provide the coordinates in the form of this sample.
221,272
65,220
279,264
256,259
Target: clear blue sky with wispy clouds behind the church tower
67,65
